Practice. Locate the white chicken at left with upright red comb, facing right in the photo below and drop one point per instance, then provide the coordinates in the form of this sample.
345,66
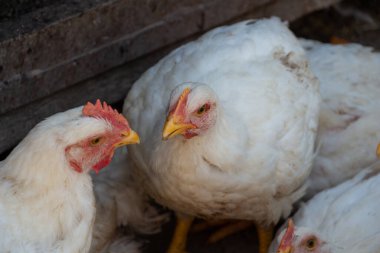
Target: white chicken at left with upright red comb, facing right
46,196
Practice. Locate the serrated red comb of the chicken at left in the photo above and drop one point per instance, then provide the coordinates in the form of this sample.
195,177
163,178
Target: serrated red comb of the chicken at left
105,112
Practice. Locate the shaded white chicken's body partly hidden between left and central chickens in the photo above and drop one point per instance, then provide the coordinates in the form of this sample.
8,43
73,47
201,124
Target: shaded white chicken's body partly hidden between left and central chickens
121,201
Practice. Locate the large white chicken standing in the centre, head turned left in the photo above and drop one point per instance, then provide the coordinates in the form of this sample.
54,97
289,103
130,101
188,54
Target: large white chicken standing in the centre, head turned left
242,110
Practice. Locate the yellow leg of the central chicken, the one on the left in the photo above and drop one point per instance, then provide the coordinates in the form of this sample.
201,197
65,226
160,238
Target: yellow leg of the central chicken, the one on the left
178,243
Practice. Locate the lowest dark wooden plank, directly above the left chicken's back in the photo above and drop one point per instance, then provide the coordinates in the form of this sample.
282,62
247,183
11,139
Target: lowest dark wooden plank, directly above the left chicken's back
111,87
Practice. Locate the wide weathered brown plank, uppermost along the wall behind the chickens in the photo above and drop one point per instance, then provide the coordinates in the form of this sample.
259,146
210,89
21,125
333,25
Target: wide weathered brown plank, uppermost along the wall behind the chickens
64,53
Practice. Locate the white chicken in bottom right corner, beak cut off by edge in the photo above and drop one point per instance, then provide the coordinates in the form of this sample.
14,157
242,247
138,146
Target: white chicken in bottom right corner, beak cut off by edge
344,219
